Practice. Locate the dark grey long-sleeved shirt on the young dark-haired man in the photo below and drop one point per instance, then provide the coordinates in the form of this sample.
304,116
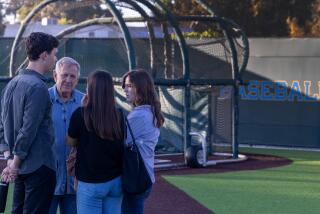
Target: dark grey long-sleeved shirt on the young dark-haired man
25,123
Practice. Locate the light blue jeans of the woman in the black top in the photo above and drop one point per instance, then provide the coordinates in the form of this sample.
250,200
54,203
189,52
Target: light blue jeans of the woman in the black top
97,198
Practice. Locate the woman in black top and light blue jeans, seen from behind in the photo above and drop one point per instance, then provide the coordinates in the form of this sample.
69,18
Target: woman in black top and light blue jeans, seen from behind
97,132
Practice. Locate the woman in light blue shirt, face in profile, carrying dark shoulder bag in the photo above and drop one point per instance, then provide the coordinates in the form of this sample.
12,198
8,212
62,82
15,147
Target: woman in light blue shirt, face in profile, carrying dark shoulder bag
145,120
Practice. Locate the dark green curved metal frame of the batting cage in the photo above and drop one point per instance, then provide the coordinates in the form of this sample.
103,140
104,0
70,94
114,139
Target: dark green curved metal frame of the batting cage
230,30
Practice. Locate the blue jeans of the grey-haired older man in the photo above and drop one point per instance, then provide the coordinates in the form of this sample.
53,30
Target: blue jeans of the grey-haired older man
67,204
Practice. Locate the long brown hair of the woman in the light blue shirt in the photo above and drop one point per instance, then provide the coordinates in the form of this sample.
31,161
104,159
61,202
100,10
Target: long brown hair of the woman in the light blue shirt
146,93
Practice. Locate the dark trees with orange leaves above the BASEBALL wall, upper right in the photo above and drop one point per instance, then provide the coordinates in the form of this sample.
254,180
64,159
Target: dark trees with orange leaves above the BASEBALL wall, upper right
261,18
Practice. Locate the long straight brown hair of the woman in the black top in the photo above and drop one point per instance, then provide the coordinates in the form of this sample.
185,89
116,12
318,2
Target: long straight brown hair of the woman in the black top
100,113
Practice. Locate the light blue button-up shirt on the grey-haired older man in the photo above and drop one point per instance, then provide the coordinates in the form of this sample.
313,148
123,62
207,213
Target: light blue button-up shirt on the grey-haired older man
61,114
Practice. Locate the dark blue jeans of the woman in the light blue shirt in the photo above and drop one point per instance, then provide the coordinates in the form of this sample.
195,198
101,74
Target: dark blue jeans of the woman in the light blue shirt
134,204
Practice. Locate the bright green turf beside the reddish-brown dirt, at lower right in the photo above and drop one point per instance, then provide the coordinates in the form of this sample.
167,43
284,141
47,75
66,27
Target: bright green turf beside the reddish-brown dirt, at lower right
292,189
